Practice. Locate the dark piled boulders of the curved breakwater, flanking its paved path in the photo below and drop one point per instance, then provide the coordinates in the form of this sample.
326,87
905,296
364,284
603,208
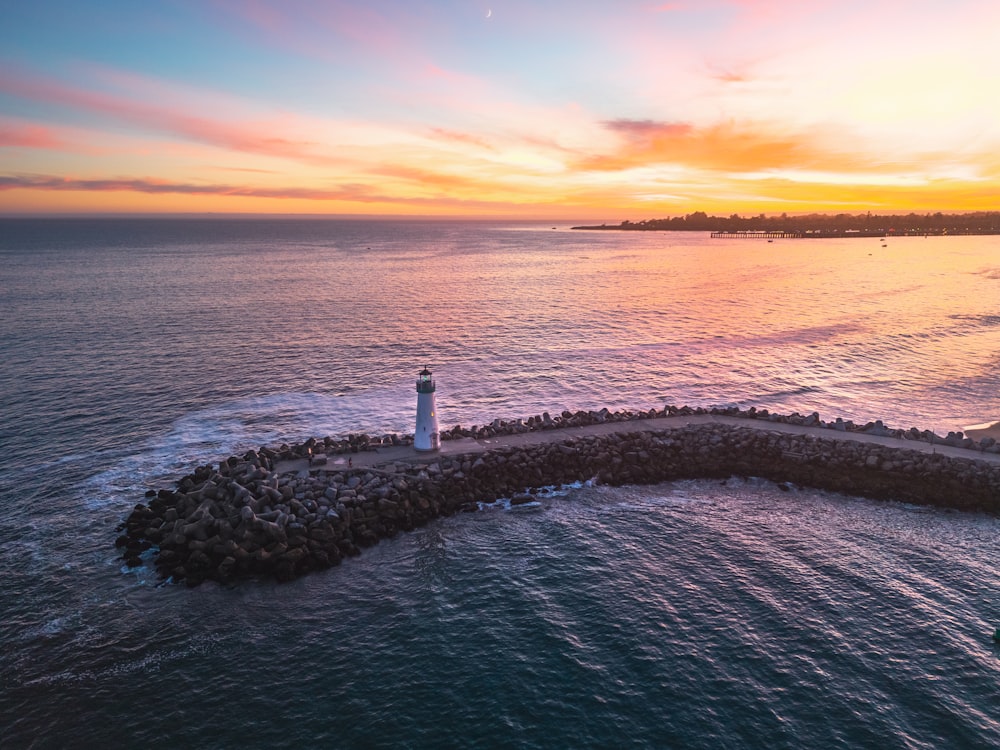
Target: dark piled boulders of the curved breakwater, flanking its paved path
243,518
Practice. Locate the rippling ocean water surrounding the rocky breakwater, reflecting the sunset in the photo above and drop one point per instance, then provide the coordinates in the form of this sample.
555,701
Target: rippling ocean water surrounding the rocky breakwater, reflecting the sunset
689,614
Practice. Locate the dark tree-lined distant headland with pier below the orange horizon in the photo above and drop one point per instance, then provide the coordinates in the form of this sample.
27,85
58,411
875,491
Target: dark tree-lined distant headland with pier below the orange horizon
818,225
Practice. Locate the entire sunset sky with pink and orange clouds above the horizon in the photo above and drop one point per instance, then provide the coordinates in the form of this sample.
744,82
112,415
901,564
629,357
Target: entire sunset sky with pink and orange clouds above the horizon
624,109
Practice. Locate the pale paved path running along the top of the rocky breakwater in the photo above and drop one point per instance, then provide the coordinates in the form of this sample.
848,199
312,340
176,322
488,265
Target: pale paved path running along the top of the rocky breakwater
406,453
